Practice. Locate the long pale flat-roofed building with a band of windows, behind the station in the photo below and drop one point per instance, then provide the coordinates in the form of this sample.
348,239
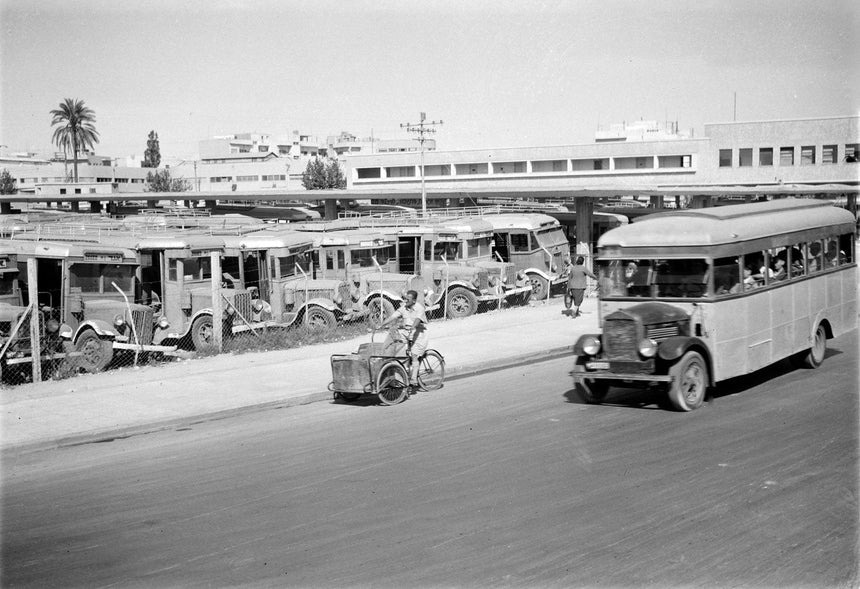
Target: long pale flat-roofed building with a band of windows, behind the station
754,153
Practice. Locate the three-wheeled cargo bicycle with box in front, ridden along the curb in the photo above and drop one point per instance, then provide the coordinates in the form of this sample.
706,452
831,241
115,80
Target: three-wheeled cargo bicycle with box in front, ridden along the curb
370,371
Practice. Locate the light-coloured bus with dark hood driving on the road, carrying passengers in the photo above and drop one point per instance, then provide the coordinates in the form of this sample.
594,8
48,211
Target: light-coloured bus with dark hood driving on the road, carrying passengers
693,297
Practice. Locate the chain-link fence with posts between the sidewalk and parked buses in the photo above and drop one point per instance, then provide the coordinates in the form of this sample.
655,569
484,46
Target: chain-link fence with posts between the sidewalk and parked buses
100,325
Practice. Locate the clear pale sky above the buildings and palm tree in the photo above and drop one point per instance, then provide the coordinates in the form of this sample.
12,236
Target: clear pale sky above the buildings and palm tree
497,73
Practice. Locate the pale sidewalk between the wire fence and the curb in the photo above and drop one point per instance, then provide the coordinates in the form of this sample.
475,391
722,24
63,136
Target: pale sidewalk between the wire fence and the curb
131,401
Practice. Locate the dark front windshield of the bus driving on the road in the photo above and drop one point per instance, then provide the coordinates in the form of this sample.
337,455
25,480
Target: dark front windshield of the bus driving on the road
654,278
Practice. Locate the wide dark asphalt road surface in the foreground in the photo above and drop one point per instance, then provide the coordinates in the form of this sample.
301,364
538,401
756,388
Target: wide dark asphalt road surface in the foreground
505,479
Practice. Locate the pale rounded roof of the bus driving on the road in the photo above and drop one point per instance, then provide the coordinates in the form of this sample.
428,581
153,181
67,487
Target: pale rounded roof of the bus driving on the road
729,224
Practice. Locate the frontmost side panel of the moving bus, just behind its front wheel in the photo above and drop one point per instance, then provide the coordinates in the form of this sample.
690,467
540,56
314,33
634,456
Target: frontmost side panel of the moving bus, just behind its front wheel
728,338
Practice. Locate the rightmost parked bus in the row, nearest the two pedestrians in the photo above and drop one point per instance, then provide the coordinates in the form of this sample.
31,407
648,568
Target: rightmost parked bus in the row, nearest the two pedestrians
535,244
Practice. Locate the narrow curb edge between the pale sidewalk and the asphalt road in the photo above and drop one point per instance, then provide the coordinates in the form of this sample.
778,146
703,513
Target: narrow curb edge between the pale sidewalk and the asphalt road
109,435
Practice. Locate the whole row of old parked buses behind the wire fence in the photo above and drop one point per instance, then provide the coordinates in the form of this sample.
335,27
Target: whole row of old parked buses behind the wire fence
119,287
